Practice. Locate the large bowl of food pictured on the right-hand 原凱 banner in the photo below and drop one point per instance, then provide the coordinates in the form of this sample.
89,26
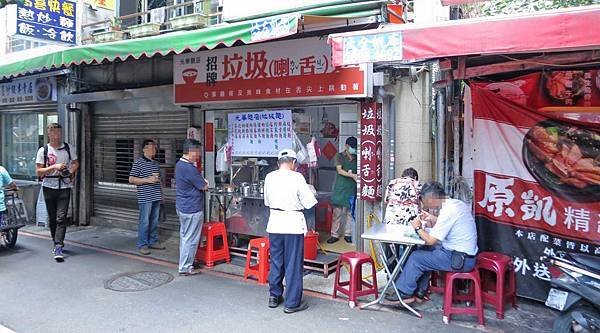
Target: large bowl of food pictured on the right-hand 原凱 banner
565,159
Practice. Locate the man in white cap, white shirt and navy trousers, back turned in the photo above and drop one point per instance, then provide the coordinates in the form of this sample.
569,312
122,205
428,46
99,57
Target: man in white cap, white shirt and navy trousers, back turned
287,194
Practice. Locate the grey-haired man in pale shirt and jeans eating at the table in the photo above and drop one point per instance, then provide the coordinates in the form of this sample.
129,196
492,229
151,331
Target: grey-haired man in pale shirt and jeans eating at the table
452,243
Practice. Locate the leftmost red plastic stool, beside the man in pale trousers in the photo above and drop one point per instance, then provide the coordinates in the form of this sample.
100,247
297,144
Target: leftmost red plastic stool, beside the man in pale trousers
215,247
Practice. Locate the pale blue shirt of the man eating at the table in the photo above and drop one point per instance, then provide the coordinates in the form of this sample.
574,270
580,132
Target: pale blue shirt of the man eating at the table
455,227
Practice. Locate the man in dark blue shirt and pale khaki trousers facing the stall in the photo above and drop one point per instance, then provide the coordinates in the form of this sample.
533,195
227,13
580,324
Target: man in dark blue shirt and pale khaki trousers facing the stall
189,200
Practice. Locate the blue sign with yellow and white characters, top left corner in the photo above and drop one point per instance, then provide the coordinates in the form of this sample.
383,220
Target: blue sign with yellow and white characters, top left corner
49,20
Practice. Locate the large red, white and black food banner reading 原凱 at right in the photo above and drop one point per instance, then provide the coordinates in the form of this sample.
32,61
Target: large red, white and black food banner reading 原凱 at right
537,177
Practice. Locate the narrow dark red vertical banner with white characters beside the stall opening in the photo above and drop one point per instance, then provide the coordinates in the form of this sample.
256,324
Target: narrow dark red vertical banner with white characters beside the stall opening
371,151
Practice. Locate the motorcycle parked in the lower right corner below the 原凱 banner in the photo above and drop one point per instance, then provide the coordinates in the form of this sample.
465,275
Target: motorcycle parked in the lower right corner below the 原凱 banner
575,292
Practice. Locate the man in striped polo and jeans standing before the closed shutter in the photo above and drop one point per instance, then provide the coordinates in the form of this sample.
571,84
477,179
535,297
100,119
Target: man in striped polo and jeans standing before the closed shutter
145,174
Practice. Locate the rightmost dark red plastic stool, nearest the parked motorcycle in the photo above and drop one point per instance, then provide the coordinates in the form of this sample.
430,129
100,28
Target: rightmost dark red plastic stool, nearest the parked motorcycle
498,290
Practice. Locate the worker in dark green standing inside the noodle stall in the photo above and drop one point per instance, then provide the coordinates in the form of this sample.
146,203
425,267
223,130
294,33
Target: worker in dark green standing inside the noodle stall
344,191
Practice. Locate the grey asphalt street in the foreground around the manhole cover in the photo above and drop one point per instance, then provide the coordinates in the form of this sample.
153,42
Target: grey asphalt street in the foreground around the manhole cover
41,295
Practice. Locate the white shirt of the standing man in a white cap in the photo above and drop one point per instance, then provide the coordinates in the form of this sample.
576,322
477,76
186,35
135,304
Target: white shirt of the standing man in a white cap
287,190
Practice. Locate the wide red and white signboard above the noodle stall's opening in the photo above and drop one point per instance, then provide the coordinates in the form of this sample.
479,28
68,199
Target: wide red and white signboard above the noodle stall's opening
287,70
